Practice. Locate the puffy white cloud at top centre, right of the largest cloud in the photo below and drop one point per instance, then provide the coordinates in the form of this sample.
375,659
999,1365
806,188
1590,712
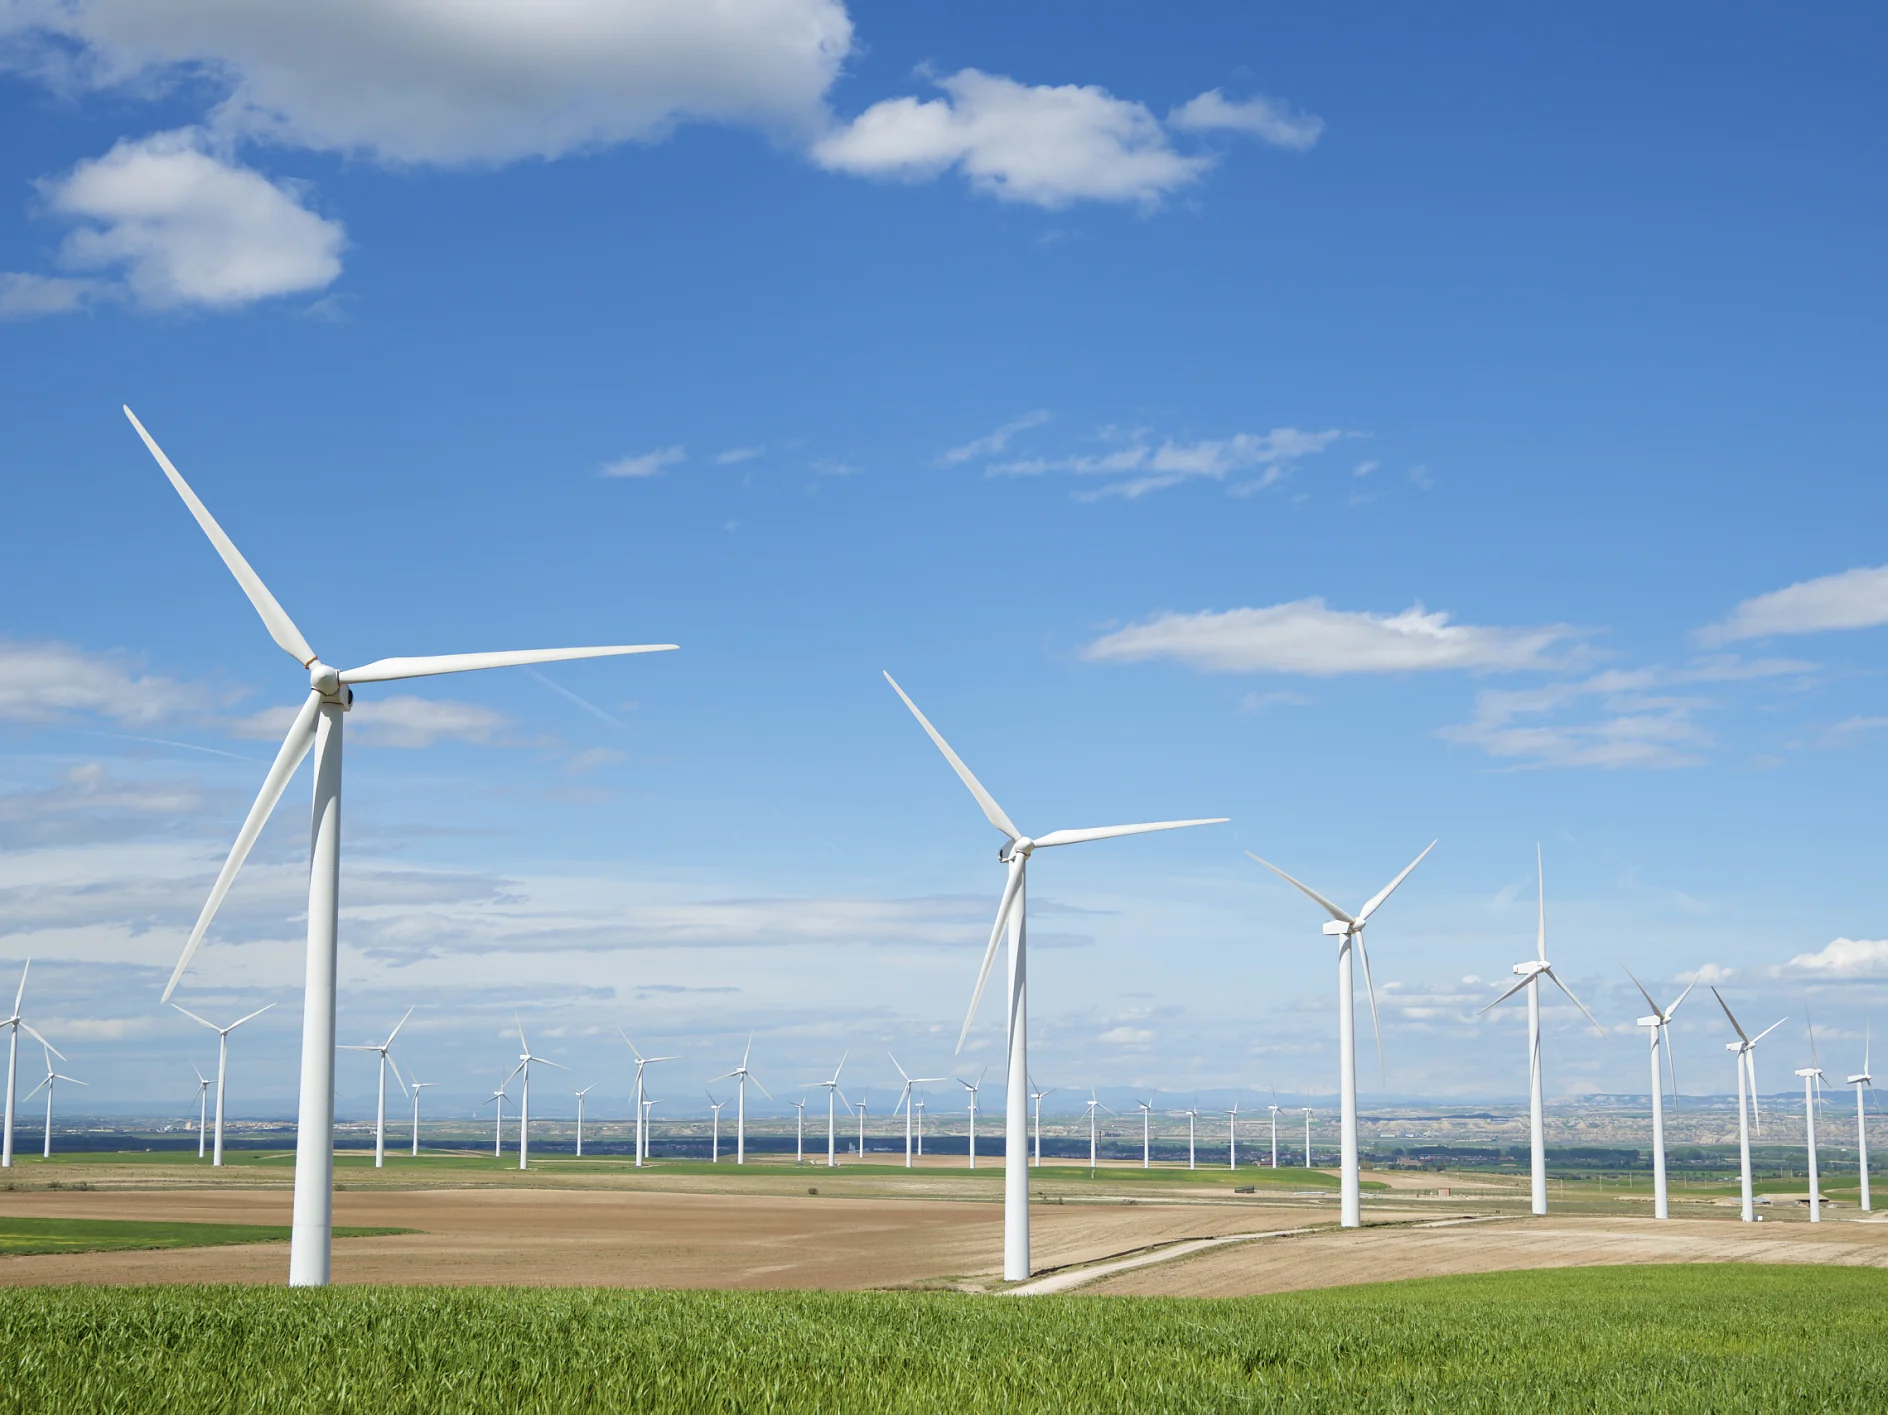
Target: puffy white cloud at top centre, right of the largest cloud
1039,145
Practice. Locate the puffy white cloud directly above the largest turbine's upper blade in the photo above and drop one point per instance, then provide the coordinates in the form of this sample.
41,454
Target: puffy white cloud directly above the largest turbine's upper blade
175,226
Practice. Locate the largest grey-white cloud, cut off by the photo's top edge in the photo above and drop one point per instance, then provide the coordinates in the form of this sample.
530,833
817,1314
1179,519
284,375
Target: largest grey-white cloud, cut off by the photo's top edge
465,82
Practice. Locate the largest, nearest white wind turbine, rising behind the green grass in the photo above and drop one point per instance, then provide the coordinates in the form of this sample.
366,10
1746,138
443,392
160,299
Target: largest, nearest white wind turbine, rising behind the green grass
318,726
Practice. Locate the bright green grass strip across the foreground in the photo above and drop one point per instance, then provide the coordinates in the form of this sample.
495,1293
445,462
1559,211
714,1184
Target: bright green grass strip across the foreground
1689,1338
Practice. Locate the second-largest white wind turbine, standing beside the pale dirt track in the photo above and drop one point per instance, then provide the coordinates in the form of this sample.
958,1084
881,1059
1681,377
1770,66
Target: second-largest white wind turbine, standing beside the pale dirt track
1013,921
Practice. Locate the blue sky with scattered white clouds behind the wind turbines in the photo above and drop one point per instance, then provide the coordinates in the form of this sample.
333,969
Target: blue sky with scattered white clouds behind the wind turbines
1366,426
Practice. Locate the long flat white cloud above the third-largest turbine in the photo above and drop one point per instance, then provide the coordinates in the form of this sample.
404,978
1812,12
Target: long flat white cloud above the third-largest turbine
1309,638
